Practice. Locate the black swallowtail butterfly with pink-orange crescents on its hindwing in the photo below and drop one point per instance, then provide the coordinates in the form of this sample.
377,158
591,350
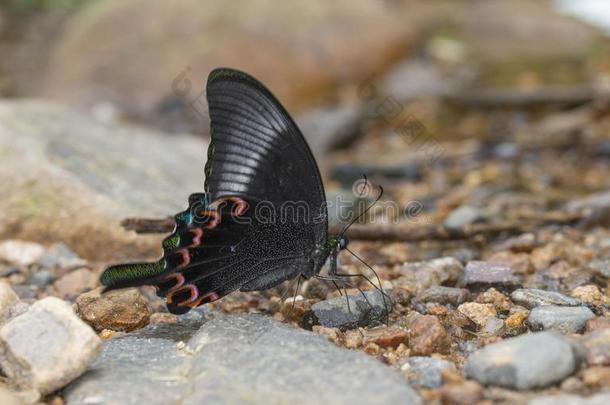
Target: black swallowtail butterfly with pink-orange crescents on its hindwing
262,219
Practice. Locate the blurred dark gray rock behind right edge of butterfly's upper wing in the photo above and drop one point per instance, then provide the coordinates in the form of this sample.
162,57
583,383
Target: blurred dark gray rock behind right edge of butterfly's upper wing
328,128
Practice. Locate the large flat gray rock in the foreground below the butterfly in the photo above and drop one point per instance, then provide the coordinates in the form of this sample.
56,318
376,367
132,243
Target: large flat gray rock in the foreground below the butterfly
233,360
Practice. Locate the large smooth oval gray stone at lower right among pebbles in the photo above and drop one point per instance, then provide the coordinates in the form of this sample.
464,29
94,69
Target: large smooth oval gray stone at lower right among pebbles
525,362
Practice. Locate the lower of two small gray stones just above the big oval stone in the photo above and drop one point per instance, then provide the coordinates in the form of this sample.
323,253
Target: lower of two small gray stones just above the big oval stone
563,319
